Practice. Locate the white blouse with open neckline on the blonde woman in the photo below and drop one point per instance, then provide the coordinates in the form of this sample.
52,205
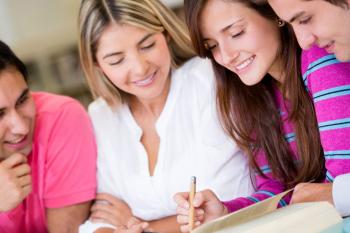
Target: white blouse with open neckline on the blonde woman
192,143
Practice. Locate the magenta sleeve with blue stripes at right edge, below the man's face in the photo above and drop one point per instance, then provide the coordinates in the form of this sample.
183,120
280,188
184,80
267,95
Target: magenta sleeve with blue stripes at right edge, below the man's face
328,82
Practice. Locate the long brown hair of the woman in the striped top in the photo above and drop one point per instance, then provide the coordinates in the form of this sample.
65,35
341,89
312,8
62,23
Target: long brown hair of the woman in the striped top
249,113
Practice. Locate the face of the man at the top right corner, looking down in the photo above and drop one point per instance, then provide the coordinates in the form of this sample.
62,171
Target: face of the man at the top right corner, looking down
318,22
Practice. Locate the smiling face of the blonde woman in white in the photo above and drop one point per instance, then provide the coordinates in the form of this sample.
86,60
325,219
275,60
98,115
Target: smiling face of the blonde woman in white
136,61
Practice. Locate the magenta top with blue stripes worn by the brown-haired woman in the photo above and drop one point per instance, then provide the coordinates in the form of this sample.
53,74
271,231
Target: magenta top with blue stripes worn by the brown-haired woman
328,82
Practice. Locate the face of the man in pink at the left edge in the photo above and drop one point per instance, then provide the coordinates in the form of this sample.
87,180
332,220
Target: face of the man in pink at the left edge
17,114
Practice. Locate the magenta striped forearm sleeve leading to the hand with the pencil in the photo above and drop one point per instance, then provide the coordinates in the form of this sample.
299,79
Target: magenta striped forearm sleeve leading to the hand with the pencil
266,187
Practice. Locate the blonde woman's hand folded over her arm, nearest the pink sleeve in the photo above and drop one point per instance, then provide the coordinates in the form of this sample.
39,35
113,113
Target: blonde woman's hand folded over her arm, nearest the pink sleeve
115,212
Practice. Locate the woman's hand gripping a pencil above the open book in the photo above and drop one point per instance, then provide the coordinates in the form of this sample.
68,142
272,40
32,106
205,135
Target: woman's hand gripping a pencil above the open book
207,207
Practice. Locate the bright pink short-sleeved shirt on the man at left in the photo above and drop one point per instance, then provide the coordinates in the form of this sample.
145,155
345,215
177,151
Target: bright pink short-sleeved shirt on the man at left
63,163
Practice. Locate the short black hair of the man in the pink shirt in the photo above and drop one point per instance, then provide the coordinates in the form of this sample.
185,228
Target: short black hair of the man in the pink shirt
8,59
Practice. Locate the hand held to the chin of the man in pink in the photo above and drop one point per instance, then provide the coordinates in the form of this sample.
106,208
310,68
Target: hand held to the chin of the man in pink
15,180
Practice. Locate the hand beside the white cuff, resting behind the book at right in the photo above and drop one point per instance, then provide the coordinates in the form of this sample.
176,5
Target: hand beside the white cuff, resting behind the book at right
310,192
